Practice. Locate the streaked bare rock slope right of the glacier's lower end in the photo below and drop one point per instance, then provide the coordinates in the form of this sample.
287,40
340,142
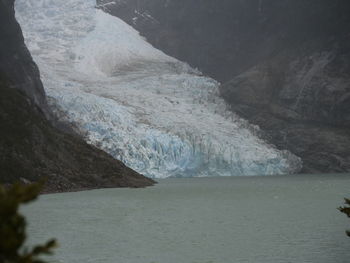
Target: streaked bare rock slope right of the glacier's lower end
302,103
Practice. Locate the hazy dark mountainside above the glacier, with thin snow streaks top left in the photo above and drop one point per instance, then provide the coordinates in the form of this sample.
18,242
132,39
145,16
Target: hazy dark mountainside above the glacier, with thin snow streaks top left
224,38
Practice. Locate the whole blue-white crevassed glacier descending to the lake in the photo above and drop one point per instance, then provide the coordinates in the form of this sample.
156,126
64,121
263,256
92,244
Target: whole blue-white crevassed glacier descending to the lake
153,112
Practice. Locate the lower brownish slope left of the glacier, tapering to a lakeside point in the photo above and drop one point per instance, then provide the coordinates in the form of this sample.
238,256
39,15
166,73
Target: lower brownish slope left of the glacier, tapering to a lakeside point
30,148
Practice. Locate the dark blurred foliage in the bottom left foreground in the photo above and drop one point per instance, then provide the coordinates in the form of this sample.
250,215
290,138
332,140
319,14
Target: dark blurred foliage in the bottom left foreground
13,225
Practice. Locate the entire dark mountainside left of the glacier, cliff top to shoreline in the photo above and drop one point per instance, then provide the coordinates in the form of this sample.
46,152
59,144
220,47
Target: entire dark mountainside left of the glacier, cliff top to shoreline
30,146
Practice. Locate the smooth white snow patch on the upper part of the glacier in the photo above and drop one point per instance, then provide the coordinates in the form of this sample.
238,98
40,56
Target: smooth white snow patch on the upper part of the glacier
113,45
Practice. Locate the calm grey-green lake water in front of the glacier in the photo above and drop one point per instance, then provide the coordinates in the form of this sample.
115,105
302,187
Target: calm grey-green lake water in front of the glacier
203,220
